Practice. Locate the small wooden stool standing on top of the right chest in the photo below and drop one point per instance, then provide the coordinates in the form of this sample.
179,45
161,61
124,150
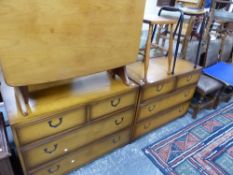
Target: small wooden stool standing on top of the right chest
153,22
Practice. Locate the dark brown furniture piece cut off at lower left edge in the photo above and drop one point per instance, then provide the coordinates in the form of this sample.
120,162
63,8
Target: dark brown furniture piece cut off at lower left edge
5,165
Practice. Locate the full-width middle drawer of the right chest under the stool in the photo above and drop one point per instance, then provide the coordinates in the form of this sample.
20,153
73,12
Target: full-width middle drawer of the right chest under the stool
150,108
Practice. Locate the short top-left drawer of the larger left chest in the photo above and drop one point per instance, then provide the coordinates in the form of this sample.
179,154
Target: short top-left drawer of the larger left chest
40,129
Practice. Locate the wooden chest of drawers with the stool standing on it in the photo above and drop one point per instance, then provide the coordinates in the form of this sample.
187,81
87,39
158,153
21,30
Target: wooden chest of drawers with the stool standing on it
163,97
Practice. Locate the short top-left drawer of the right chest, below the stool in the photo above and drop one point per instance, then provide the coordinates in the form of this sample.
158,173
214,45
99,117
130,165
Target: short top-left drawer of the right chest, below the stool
158,89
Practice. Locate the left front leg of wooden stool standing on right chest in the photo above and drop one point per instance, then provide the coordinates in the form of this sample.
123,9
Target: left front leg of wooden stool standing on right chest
147,52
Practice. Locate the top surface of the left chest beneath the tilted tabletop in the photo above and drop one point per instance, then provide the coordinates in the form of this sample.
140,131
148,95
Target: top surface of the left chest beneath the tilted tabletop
75,93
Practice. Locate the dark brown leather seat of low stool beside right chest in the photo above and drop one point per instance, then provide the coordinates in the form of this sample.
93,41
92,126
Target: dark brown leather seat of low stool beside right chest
208,85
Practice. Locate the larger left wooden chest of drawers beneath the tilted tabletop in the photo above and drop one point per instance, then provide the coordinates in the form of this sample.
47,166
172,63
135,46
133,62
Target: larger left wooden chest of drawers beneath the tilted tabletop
73,123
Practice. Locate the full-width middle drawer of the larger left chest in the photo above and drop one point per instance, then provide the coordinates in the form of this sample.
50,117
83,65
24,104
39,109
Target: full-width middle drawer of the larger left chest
76,139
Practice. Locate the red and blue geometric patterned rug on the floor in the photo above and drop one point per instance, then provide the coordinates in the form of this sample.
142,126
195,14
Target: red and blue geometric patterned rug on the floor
203,147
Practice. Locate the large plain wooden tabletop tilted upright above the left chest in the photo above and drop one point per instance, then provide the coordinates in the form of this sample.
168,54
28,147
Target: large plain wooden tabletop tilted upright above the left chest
43,41
